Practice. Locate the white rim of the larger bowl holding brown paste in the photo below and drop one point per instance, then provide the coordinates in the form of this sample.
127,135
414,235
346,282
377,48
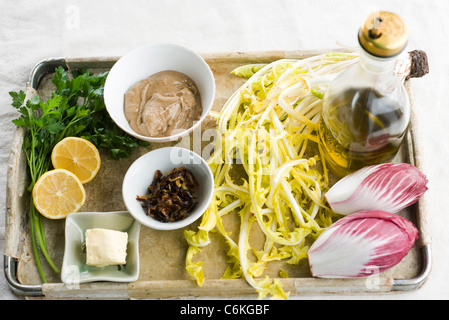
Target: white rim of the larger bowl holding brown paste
178,135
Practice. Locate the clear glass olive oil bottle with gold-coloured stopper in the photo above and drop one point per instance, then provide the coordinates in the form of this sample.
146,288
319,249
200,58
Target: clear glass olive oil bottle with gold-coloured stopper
366,109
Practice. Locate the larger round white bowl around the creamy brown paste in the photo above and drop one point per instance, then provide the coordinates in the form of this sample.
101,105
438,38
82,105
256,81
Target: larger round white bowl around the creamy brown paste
146,61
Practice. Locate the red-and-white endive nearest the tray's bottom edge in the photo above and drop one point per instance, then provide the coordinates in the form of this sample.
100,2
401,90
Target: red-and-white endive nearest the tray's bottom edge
361,244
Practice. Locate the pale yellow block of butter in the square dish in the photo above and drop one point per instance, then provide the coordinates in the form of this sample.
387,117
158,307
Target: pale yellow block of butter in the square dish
105,247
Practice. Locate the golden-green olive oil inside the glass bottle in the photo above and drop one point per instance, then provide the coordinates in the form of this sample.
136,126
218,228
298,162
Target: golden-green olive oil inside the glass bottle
362,128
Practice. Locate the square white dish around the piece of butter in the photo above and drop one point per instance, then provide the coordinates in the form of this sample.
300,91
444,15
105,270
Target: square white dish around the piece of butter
74,268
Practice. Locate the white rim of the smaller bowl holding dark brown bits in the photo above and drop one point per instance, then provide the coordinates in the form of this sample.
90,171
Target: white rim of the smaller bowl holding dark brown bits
158,225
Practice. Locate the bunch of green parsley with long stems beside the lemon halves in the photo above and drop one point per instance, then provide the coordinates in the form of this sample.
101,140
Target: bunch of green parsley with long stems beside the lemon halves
76,108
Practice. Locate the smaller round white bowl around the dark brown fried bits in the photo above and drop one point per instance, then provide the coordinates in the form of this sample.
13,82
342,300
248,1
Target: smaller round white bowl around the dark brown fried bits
141,173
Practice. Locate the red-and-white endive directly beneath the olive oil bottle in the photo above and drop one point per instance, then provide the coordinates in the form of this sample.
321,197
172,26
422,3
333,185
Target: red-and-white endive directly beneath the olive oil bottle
388,187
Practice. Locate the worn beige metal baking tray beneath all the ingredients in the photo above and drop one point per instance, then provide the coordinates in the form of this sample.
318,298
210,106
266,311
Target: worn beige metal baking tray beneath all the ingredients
168,278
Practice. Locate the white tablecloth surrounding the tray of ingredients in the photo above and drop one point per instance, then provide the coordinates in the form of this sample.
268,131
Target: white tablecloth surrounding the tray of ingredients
33,30
